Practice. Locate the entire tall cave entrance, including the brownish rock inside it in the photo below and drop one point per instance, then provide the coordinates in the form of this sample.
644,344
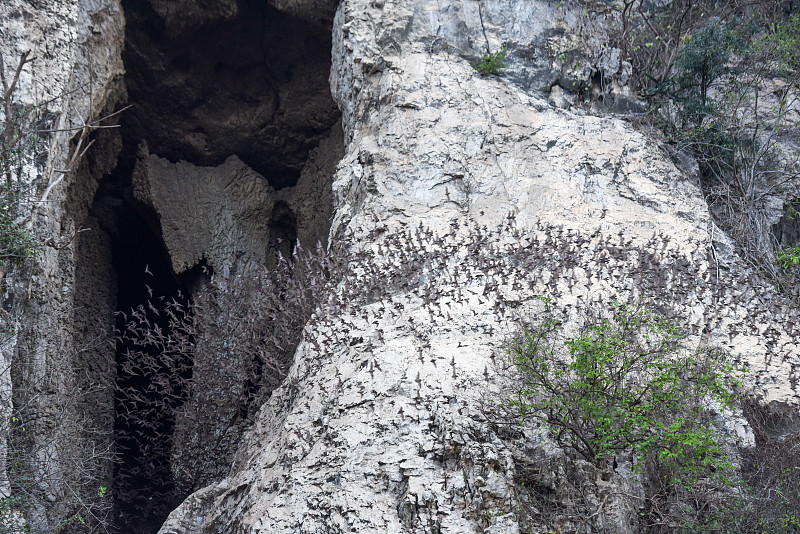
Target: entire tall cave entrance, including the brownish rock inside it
227,158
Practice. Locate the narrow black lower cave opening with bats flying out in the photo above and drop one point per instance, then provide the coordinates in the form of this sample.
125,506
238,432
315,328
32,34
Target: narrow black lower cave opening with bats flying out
151,377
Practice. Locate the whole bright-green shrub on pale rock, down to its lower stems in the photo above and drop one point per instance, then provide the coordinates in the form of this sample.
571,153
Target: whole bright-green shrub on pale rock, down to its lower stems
622,390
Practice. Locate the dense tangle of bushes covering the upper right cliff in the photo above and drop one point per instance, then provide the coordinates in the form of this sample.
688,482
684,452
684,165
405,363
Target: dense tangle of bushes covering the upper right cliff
721,80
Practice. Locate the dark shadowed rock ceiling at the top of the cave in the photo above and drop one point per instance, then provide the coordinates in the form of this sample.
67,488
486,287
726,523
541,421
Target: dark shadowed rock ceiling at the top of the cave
210,81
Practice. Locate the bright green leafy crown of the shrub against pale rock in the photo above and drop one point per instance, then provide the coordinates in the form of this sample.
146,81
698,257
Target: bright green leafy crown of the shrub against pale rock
624,384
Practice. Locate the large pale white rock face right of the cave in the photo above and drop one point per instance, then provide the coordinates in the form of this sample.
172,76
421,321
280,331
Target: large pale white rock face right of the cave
379,426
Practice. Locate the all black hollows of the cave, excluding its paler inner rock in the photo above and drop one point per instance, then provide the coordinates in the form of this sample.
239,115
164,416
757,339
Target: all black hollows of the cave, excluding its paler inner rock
206,81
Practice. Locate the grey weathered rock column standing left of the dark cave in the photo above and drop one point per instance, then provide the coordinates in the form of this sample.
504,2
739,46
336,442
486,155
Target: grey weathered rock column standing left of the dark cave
59,316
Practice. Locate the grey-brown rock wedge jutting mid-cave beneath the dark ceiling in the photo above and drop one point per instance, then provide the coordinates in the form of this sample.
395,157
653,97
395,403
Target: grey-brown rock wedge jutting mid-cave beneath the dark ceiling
222,215
